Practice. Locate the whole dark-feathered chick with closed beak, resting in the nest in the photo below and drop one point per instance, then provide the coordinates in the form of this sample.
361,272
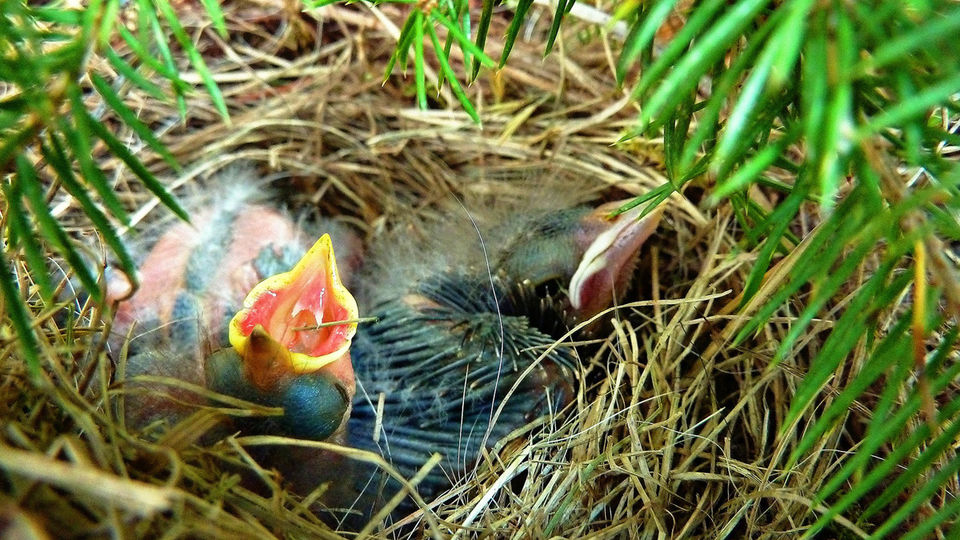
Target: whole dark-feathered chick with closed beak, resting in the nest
468,311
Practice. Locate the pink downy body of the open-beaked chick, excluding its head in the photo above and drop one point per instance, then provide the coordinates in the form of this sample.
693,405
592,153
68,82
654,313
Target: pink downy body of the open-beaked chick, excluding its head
194,278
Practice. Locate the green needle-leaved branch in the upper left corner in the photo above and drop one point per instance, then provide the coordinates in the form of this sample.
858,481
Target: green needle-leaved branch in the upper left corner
48,132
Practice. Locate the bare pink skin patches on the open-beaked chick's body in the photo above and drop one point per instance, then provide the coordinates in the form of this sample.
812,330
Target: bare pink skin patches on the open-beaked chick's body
162,278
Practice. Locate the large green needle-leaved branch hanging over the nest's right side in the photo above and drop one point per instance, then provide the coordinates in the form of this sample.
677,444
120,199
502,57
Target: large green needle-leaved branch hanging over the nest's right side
848,97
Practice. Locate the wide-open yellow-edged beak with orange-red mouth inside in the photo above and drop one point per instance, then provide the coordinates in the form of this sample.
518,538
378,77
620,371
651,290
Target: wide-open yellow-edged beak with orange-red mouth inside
301,320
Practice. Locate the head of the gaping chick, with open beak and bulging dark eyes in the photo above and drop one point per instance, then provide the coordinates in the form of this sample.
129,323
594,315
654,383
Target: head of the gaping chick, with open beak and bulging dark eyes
291,345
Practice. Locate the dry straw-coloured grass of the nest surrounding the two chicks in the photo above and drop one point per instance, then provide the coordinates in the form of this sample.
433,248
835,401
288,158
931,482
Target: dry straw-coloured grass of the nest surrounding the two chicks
673,433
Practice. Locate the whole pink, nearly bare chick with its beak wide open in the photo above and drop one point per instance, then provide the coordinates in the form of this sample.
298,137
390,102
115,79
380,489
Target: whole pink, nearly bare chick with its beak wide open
280,350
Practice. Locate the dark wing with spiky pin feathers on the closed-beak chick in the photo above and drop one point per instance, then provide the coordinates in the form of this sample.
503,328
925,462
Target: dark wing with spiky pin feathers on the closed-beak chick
444,368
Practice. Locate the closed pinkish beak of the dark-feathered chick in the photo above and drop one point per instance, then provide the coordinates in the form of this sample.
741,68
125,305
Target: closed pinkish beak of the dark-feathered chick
609,257
